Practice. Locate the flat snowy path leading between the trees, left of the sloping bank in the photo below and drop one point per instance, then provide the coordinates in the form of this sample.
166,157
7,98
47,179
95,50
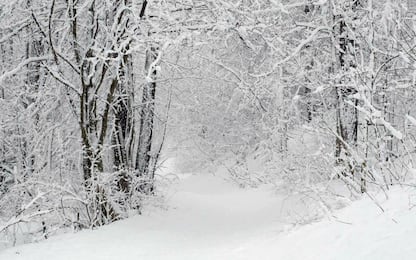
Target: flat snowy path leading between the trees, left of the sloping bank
208,218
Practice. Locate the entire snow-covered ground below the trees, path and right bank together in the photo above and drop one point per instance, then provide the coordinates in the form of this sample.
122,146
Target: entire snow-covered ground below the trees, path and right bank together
209,218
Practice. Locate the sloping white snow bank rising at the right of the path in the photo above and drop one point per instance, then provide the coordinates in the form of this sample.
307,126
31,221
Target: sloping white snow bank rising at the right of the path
360,231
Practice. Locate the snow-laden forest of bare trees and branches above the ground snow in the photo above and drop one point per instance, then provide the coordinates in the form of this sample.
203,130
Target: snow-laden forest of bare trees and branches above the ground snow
97,97
